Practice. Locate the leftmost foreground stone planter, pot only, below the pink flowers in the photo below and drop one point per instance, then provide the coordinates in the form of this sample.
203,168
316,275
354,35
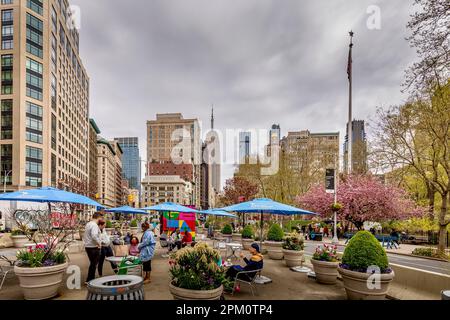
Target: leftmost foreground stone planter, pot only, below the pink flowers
41,283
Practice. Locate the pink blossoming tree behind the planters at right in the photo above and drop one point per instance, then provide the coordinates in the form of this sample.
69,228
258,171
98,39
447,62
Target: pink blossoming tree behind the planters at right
363,198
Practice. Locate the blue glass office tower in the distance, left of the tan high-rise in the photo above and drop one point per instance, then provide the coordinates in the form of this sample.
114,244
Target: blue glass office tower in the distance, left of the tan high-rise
131,161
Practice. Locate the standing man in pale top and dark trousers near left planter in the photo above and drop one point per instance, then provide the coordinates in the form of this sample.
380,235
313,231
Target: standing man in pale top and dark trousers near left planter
93,244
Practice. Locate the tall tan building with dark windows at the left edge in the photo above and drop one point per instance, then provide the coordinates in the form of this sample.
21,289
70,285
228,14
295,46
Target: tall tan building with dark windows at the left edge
44,97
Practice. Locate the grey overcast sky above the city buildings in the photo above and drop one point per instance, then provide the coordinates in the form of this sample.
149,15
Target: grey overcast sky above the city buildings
259,61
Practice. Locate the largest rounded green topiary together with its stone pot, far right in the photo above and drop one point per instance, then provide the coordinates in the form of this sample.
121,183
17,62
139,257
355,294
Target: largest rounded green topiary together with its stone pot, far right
363,257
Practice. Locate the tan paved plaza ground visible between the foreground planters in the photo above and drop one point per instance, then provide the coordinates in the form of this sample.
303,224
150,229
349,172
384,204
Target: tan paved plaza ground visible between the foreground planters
285,284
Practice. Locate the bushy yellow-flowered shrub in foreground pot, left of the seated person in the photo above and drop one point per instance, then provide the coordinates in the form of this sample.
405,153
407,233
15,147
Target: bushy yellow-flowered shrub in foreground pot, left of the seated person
196,274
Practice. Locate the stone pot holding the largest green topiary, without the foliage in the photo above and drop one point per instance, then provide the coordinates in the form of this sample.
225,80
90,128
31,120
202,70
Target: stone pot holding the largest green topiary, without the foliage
358,287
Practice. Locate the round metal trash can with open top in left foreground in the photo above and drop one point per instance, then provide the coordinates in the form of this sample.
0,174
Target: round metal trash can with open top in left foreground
125,287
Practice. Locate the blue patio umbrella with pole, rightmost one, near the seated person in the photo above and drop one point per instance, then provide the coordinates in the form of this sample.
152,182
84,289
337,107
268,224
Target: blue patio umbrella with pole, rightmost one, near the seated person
267,206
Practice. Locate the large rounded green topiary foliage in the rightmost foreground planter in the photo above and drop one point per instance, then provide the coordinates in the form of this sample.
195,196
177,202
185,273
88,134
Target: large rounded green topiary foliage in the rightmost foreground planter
363,251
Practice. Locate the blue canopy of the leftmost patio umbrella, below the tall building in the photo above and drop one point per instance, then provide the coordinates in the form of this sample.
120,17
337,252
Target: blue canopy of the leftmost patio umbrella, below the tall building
49,195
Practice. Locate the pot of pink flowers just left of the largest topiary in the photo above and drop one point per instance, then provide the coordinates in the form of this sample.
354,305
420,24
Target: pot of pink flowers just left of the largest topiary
326,262
